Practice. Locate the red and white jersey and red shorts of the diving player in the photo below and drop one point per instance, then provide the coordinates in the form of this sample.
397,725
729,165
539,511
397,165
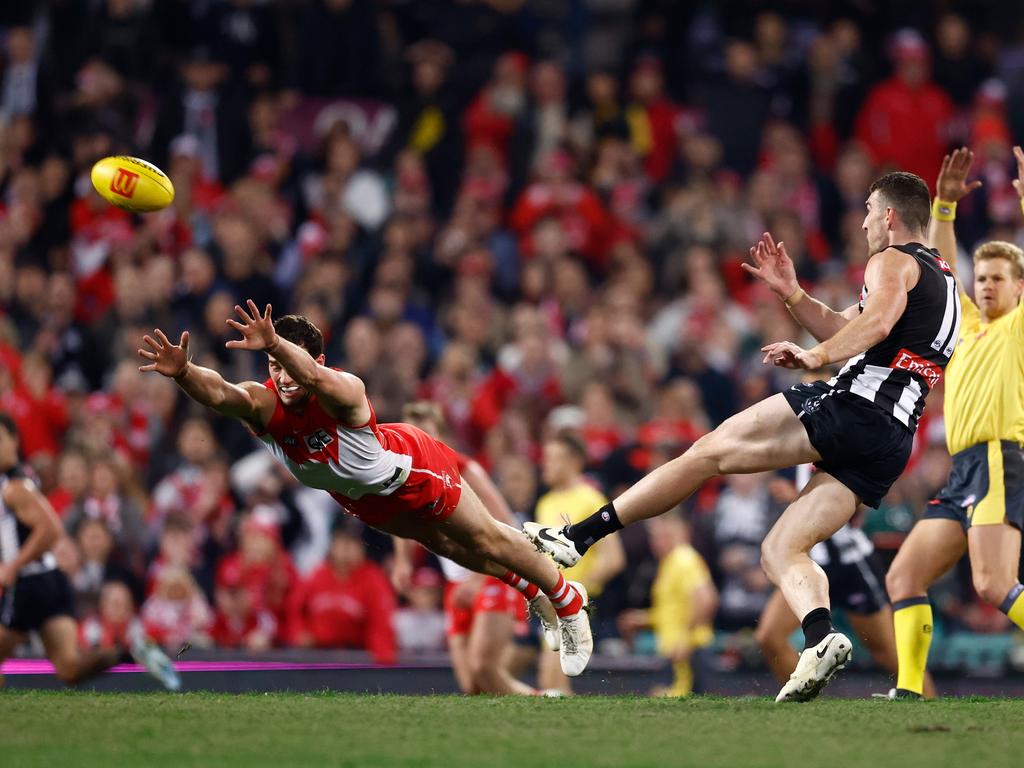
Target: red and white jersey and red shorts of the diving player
374,472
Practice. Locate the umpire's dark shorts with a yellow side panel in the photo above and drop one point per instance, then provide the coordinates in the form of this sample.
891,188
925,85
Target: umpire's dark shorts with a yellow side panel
986,487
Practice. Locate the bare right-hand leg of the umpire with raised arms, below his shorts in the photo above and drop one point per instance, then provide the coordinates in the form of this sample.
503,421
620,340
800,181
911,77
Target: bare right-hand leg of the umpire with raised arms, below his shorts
996,556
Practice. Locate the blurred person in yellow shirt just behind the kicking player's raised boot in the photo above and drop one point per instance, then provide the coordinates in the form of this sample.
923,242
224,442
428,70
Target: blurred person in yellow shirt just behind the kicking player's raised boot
572,496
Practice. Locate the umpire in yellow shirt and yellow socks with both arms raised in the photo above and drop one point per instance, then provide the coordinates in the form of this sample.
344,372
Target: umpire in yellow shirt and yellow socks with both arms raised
982,509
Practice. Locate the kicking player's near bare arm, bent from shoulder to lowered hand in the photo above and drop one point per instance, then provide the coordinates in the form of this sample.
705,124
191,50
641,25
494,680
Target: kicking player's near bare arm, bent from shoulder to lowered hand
890,276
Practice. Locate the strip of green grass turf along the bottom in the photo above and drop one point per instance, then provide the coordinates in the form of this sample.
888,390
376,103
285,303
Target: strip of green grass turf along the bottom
53,729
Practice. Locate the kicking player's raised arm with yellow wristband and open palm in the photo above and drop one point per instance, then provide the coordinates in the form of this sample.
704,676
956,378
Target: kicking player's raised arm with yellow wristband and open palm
774,267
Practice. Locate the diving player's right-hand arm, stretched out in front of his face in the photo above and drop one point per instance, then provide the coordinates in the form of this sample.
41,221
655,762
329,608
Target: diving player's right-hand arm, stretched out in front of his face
342,395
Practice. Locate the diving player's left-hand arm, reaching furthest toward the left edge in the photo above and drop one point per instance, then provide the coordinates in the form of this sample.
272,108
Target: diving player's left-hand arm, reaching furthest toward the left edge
249,401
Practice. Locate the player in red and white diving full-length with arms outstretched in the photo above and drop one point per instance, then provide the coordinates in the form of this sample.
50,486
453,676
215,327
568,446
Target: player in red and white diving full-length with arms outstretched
318,422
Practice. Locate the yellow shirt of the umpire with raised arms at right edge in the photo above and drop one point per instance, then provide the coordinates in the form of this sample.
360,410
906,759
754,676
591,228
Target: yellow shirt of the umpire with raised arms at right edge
986,380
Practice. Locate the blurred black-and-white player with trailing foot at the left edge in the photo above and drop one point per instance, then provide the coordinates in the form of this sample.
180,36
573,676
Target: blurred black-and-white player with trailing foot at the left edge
37,596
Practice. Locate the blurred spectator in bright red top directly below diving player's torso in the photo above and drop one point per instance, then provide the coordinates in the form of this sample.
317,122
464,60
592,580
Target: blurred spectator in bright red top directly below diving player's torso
348,603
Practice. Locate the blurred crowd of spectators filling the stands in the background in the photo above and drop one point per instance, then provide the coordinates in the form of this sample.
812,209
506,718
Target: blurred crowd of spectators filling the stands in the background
532,214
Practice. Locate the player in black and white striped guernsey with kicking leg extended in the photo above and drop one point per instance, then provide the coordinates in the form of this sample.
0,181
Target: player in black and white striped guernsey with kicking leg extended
858,429
